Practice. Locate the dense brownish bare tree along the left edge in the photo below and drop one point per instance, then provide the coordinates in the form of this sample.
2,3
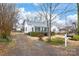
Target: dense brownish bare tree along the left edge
7,17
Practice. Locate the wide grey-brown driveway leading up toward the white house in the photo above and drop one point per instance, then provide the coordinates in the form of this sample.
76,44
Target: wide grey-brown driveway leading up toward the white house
28,47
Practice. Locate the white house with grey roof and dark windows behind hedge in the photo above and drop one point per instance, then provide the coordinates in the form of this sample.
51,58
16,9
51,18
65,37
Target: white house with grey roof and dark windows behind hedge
31,26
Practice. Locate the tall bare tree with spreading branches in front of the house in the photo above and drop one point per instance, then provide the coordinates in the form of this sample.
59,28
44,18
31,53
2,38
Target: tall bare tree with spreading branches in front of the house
49,9
